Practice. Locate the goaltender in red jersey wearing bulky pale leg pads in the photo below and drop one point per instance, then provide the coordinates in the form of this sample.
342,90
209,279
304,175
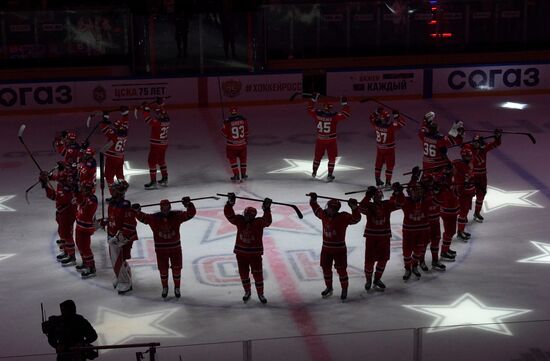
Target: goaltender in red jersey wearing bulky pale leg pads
121,233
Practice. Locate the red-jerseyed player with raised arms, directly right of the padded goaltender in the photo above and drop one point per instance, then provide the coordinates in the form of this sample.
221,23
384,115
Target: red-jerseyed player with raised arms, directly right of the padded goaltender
166,235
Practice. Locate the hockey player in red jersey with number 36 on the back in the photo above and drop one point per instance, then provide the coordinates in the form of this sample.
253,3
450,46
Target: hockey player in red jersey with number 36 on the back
435,144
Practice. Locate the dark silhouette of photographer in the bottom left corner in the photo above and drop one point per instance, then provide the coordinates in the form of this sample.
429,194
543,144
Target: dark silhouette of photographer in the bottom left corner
70,330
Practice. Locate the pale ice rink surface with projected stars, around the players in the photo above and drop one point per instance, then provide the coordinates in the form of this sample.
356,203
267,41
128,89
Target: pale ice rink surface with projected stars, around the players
501,274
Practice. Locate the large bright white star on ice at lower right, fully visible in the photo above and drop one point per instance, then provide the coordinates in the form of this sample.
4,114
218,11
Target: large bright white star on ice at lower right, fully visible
468,311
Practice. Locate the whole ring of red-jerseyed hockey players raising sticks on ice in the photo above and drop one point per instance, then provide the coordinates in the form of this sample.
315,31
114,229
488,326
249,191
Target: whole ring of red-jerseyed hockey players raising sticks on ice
442,189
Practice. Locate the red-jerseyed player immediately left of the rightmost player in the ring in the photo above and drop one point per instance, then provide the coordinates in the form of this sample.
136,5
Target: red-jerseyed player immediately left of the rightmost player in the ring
463,178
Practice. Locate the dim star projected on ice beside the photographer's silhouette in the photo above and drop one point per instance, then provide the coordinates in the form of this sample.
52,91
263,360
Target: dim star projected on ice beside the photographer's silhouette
116,327
